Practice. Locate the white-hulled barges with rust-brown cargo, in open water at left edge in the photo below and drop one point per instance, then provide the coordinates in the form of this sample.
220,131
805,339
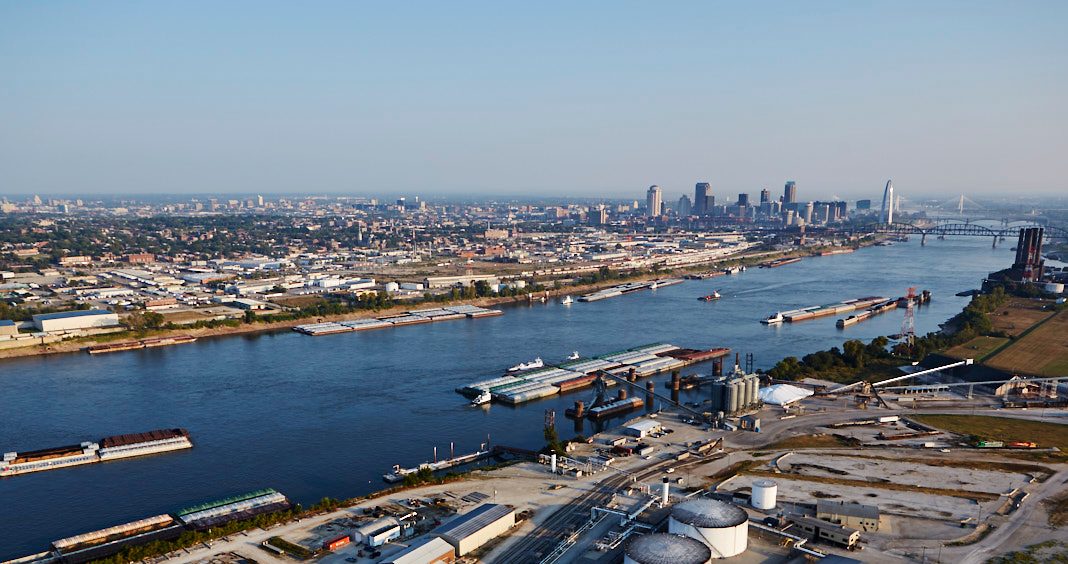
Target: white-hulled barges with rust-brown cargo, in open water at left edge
88,452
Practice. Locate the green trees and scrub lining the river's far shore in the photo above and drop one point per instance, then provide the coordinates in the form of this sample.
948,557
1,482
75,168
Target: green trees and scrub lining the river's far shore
143,325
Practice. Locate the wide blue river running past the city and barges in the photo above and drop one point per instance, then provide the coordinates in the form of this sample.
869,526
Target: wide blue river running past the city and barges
327,416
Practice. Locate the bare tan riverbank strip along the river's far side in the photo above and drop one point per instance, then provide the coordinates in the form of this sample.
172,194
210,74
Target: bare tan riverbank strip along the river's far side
80,346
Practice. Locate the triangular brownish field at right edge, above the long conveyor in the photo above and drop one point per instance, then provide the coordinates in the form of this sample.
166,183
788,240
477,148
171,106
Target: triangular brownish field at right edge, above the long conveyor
1042,352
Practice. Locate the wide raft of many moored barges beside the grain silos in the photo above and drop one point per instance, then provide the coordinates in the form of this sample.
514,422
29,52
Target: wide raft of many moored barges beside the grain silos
642,362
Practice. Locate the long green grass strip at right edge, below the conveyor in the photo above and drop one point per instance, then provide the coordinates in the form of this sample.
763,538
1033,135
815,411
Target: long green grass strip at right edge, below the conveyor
1001,429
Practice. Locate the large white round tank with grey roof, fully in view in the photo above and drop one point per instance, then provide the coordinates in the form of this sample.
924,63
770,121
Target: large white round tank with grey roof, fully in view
723,527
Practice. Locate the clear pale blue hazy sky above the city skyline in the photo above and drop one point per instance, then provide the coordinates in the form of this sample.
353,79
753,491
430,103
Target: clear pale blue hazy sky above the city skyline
533,99
